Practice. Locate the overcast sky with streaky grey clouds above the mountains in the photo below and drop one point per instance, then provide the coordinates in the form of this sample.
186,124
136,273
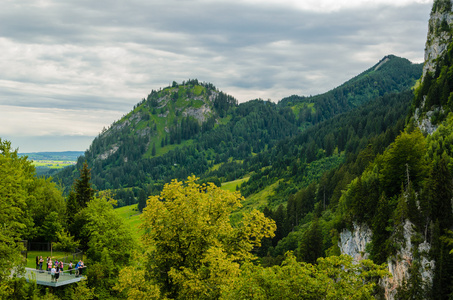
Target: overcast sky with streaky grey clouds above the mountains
70,67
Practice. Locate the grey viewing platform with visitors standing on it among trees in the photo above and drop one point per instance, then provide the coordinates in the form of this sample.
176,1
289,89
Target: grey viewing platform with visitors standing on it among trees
43,277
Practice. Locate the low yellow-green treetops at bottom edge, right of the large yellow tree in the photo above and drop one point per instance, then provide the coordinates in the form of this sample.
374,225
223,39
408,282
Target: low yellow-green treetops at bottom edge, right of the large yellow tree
336,277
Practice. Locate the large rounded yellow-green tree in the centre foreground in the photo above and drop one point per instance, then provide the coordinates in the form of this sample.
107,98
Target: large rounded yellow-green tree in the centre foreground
193,249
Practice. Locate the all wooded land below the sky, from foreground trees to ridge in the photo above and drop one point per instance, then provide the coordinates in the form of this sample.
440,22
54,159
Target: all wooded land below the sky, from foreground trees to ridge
308,172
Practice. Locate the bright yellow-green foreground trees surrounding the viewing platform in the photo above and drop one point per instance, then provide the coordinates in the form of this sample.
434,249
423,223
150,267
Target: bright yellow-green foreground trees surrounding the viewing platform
188,248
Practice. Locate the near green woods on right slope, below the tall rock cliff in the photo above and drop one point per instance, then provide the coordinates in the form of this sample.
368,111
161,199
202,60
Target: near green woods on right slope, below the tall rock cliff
390,189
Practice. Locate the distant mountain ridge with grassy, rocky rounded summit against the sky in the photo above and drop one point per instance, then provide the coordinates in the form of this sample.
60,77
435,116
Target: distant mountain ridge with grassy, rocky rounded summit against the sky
193,128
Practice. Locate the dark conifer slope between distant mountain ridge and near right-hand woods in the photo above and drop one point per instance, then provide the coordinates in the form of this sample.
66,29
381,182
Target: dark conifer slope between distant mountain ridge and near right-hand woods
293,159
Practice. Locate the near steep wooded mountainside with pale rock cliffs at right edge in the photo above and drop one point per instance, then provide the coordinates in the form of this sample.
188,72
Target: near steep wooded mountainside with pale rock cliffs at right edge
392,203
